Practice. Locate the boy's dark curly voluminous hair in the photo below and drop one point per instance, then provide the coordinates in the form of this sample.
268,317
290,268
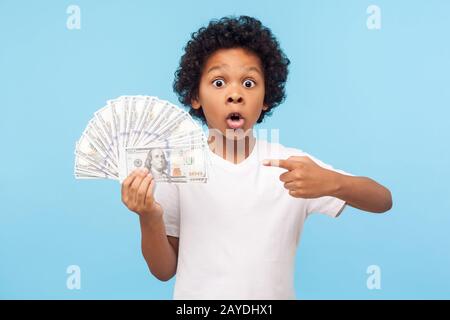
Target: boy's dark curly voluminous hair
232,32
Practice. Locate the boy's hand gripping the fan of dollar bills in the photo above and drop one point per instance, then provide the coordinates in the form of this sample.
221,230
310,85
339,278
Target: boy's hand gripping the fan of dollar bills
137,194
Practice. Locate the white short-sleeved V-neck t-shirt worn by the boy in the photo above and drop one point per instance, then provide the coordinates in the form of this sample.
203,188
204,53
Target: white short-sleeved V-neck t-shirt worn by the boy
238,233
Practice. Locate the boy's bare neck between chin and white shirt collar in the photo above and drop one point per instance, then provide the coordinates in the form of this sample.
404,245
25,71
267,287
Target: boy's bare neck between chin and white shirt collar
233,150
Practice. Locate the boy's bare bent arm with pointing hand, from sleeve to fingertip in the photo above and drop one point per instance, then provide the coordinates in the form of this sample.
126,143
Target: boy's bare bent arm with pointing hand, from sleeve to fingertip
306,179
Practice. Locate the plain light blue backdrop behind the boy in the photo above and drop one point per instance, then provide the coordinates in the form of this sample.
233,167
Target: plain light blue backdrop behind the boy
371,102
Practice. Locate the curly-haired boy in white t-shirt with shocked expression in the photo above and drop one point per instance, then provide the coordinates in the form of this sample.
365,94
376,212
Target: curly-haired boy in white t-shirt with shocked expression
235,236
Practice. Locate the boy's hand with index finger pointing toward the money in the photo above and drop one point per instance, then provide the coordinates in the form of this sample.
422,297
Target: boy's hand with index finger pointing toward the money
305,178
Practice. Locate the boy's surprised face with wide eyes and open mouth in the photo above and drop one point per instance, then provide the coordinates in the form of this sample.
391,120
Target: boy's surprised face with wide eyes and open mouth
231,90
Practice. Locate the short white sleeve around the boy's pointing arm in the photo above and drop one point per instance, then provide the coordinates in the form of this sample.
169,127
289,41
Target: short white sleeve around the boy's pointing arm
328,205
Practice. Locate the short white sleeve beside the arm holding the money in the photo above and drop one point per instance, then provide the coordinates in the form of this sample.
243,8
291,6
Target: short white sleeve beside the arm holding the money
167,195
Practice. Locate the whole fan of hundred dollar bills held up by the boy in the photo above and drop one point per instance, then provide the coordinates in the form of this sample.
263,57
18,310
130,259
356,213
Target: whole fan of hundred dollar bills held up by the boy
133,132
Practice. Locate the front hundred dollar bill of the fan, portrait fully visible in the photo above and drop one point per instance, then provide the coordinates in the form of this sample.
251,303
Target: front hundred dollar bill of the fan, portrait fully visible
176,165
